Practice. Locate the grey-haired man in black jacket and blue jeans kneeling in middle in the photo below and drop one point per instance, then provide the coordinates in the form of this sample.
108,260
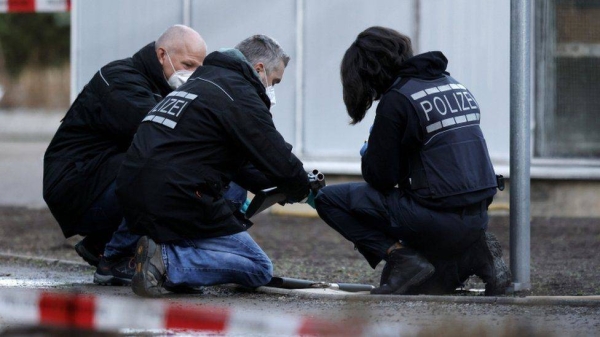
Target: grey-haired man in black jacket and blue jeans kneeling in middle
214,129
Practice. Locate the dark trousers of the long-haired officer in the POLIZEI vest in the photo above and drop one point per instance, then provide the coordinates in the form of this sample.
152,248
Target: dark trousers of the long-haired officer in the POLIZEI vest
374,221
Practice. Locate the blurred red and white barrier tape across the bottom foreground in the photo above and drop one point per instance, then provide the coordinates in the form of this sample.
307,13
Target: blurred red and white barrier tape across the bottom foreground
34,307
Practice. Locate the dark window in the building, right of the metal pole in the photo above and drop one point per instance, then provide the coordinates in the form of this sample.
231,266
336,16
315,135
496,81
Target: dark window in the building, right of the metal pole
567,115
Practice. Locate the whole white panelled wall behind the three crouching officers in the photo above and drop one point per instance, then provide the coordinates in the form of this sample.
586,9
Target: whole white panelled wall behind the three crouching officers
310,112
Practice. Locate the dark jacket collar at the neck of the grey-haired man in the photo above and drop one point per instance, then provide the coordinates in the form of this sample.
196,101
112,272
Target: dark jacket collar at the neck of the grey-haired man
240,65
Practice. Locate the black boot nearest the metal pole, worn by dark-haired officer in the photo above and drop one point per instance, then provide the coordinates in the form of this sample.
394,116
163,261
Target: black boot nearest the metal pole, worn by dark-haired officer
484,260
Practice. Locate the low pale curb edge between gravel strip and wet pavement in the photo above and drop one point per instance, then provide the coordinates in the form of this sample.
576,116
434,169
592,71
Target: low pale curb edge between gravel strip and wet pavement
574,301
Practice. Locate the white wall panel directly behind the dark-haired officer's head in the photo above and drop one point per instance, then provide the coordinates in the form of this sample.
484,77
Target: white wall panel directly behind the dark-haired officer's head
331,26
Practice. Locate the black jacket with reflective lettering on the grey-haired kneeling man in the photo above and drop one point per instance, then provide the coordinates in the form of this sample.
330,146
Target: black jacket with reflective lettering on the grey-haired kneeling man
192,144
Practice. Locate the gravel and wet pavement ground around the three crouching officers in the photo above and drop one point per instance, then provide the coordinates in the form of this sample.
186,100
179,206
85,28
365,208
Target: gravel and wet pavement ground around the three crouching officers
563,262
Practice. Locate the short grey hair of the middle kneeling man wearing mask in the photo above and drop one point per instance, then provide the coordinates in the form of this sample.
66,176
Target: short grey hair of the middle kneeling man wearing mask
261,48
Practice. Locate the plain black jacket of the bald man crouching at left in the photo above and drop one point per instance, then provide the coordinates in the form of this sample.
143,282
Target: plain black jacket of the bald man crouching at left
85,154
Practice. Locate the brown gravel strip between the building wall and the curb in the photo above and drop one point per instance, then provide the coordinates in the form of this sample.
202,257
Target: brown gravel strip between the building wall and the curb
564,258
